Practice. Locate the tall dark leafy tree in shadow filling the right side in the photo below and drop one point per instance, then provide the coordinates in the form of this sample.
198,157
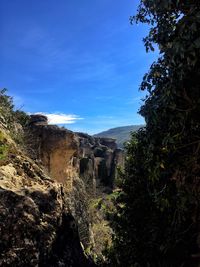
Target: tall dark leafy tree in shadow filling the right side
157,218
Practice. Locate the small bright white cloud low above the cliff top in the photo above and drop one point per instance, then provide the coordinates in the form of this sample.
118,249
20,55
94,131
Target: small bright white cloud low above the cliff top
60,118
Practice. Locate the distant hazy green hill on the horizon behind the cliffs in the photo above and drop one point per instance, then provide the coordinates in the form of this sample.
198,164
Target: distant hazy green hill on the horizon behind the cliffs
121,134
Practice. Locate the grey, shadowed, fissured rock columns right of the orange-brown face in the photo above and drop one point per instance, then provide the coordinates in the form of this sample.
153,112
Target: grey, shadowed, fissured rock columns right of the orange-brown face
99,158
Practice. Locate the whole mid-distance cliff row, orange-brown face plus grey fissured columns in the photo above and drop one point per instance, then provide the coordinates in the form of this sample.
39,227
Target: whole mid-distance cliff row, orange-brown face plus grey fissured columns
67,155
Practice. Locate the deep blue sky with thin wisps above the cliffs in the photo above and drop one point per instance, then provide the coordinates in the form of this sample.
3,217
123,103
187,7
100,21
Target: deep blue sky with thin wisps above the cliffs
78,60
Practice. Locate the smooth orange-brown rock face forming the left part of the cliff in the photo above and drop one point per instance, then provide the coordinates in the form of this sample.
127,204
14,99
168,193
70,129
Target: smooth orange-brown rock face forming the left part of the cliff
56,148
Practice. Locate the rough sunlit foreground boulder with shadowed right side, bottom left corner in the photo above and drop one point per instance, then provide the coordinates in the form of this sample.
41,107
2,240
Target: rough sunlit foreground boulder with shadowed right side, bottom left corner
36,226
